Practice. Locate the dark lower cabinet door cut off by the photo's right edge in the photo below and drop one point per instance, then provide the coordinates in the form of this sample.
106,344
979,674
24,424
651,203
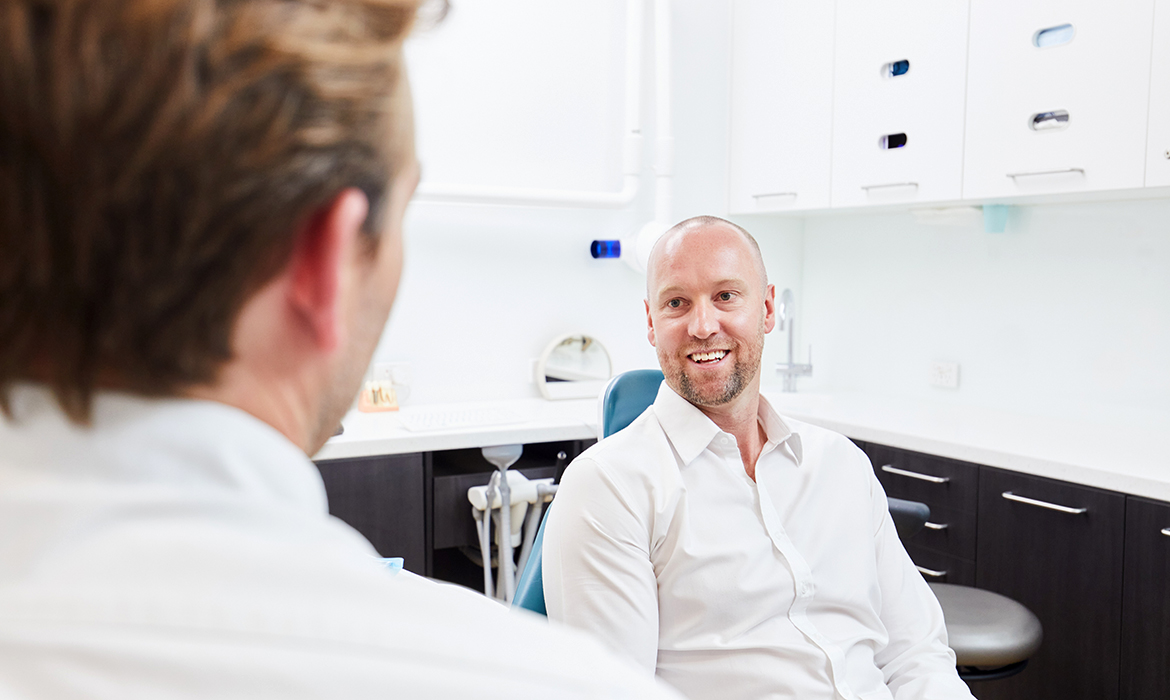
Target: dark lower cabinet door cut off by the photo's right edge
1146,605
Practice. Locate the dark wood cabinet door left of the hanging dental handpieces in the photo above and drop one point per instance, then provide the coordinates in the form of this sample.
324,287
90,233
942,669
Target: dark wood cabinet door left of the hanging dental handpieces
386,499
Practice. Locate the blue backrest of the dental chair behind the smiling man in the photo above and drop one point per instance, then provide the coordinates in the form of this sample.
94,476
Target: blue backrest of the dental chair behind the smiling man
625,399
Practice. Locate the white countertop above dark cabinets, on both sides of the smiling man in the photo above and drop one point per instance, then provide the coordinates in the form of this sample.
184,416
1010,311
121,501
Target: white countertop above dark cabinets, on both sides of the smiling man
1131,457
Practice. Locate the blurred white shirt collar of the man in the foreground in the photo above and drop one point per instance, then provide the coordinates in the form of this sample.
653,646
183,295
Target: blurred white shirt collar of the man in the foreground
170,443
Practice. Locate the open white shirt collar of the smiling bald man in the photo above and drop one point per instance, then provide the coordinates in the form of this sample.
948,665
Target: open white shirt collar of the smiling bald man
691,431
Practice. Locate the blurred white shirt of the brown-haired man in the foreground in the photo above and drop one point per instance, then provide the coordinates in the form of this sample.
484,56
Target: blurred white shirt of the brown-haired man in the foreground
184,550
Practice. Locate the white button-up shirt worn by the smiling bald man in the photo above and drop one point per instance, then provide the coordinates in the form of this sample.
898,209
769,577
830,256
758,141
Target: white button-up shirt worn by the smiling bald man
793,586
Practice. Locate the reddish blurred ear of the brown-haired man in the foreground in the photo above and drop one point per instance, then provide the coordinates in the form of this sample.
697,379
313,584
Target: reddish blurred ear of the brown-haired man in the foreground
321,267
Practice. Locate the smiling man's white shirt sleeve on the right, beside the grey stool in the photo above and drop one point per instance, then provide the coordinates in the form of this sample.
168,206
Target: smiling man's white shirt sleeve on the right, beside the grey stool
917,663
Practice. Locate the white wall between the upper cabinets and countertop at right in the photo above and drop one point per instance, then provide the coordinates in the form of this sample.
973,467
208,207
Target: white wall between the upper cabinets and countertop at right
1068,313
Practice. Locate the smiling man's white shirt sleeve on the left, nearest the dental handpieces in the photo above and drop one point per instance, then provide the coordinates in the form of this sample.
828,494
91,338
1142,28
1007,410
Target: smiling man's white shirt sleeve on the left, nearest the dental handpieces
598,575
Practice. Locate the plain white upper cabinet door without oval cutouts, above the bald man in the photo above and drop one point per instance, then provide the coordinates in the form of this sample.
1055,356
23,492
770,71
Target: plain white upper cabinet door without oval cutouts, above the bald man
782,106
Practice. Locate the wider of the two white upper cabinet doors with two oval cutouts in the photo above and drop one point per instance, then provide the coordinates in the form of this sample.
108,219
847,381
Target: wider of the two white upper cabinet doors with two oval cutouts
1018,142
